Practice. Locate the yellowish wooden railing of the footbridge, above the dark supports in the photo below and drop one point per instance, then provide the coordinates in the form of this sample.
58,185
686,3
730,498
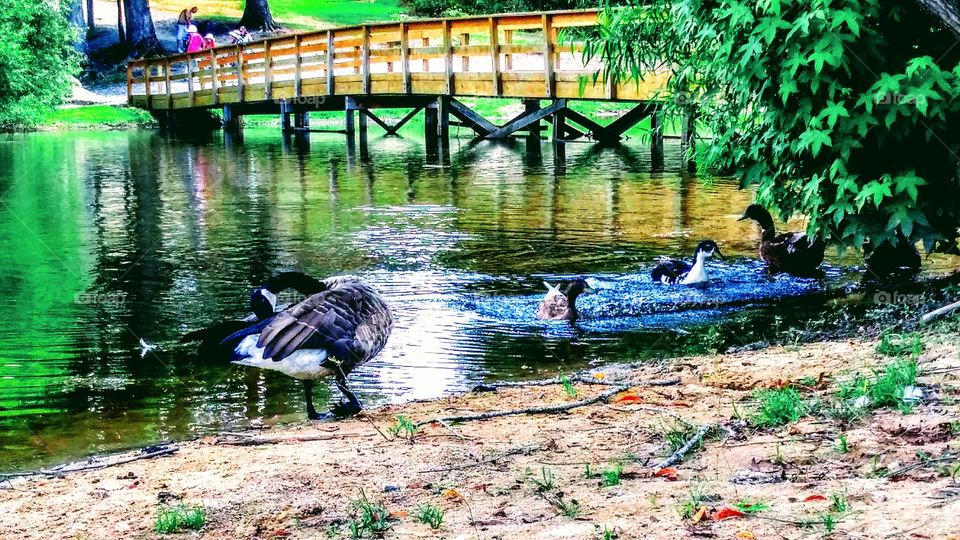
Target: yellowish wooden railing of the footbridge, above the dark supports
512,55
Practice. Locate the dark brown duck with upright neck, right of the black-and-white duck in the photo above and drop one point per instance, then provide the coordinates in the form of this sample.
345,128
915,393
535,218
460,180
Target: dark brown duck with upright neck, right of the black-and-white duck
791,252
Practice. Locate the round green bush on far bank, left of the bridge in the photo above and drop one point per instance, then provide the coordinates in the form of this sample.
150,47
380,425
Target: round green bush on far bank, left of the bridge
37,60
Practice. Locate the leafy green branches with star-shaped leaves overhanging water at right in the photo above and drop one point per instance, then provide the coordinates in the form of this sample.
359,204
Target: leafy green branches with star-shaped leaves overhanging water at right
836,109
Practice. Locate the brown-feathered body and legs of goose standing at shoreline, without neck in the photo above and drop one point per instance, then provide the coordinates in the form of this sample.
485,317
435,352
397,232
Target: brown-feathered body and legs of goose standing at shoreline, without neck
329,334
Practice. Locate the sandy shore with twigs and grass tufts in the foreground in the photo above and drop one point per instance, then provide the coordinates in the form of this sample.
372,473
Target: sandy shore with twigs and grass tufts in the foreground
302,480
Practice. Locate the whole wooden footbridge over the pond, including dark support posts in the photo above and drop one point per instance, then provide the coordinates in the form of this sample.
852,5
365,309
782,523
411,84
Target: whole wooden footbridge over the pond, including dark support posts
422,65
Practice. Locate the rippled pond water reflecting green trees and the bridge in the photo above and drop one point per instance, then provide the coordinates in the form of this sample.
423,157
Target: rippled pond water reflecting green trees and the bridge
107,238
